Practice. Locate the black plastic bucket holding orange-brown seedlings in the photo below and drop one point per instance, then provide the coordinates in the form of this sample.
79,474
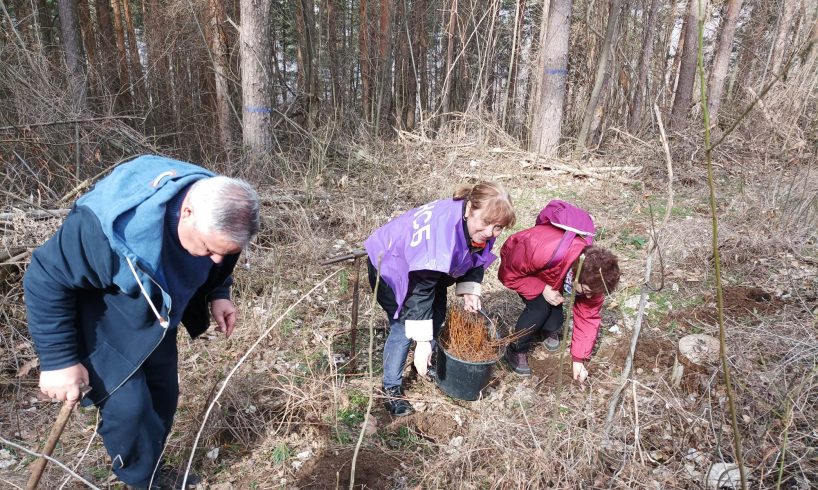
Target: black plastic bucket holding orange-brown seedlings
461,379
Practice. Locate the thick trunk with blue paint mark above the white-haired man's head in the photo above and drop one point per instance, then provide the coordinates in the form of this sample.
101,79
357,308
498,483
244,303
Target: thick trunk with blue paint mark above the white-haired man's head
256,84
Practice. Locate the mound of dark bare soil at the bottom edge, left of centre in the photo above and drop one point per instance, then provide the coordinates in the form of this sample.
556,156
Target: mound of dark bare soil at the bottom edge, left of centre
374,469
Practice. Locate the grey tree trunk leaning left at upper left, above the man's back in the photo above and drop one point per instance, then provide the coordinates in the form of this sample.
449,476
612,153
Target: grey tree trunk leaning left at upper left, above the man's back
74,56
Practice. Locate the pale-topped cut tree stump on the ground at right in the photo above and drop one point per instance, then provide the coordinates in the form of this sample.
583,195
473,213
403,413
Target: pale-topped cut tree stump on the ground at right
696,356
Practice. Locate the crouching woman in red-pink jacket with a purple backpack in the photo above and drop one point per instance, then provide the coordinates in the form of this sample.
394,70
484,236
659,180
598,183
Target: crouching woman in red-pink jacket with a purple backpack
524,258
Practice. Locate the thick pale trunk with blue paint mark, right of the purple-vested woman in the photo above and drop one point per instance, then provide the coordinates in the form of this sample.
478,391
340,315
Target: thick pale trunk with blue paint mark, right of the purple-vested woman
547,120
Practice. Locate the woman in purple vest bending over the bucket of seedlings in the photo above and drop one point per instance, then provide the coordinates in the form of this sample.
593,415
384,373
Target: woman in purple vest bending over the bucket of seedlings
421,253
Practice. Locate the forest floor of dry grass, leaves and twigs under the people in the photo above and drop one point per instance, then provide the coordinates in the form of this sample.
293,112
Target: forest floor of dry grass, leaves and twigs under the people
291,415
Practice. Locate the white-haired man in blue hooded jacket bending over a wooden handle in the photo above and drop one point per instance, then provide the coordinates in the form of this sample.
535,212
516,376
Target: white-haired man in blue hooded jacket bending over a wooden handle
151,246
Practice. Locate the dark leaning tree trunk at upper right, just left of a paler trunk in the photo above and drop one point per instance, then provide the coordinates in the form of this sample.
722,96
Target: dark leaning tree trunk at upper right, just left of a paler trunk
687,67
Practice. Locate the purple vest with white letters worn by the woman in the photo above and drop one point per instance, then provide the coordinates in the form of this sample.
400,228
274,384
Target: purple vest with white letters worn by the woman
430,238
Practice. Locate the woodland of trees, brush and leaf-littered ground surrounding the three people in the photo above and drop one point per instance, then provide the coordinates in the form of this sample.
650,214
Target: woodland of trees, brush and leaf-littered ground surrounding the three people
344,113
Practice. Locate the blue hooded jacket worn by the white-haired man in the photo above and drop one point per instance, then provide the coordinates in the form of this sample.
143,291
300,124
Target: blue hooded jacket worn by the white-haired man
94,292
